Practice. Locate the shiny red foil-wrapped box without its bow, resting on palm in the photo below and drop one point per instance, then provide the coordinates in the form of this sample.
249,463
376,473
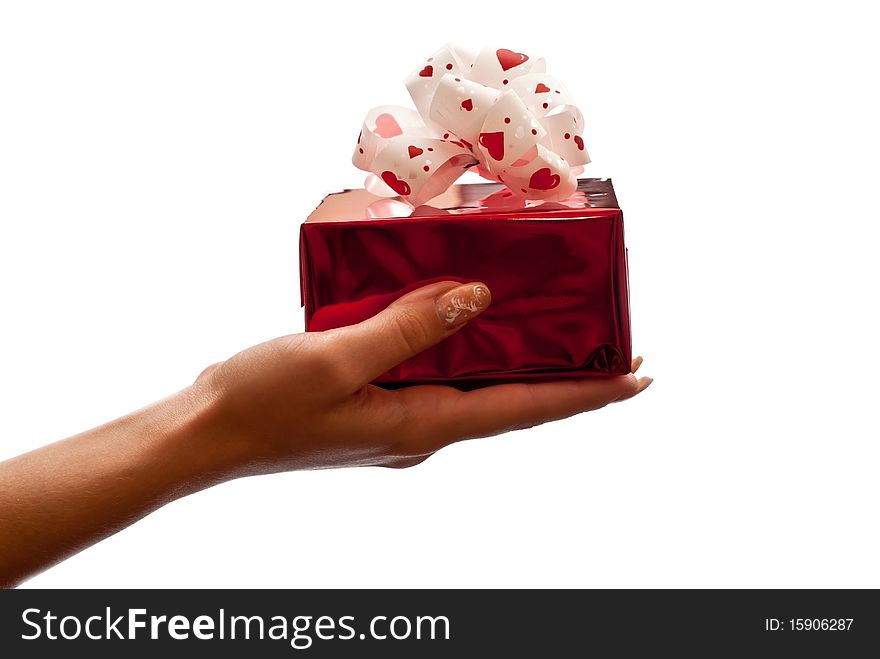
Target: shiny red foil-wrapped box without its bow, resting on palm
557,272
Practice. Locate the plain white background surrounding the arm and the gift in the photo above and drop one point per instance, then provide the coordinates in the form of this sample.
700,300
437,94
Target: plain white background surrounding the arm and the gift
157,158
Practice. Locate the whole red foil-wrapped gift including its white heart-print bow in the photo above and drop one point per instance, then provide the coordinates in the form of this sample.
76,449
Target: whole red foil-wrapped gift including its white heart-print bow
548,245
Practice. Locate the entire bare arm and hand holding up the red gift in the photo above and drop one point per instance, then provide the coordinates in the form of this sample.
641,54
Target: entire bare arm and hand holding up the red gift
297,402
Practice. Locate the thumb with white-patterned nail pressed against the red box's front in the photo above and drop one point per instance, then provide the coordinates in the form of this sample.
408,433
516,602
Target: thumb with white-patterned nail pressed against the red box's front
409,325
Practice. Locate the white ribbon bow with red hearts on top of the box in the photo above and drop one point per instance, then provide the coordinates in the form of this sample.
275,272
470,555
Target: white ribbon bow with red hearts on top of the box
497,111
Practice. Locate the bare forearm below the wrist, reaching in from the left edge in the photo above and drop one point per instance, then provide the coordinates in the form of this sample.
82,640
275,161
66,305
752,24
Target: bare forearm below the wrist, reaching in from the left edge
61,498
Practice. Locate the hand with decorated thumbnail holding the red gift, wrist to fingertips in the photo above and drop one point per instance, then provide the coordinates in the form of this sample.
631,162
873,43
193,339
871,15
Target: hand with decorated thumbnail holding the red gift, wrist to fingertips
304,401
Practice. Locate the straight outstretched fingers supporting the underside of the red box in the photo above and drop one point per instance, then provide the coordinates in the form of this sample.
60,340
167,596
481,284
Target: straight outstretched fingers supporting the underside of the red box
440,415
